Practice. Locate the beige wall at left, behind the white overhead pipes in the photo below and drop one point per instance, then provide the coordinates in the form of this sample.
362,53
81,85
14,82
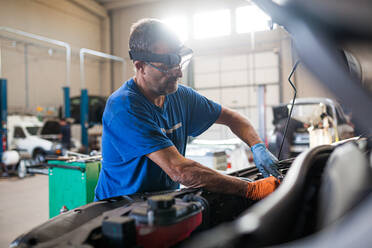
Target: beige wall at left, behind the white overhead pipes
81,23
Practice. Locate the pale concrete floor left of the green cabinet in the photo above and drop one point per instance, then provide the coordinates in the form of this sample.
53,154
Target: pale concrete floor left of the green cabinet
24,204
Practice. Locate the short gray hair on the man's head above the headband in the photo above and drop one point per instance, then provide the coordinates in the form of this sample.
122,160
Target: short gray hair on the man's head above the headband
145,33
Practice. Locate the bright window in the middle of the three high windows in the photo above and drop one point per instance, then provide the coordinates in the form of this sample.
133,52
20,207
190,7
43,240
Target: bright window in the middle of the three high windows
212,24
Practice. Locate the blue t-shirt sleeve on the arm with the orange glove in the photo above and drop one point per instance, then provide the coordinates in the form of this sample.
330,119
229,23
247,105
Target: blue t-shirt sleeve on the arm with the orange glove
133,131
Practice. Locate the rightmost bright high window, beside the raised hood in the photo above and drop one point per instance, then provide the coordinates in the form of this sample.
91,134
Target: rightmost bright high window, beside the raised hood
251,19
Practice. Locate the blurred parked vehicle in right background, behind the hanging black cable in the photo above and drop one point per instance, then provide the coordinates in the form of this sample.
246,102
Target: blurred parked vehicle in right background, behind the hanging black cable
311,112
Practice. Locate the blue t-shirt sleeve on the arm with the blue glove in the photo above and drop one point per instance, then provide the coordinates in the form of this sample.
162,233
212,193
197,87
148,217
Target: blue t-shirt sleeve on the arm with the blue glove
203,113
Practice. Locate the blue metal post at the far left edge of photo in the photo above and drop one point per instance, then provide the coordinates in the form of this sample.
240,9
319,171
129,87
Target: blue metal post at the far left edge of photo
3,116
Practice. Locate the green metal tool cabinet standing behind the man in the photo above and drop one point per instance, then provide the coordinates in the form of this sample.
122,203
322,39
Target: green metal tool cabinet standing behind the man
71,184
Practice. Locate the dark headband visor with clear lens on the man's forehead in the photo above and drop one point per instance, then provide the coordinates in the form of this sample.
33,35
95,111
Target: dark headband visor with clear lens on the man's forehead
182,58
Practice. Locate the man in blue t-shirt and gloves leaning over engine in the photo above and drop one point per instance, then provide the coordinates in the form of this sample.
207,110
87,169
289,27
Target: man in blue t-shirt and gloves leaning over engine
146,123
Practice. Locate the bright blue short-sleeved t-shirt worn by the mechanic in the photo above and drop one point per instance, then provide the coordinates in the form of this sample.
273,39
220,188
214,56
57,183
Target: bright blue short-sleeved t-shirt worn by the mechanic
134,127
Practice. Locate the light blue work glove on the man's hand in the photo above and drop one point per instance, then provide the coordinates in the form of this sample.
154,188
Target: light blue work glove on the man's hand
265,160
